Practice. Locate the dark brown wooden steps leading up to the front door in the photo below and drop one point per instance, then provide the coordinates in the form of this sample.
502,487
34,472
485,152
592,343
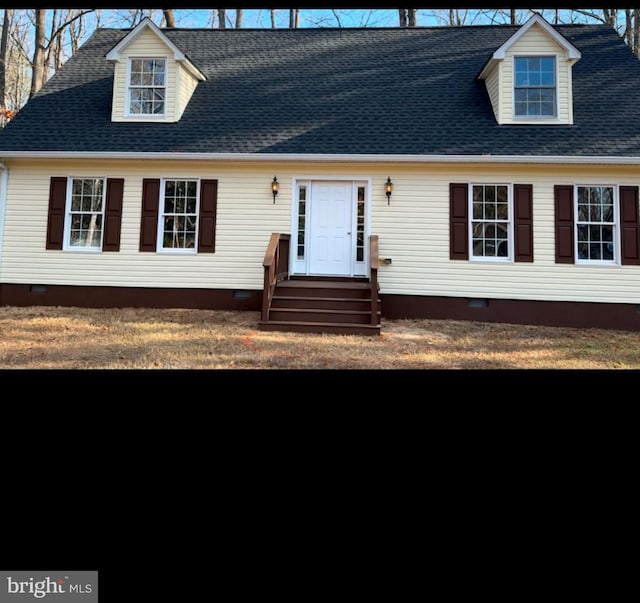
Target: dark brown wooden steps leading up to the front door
324,305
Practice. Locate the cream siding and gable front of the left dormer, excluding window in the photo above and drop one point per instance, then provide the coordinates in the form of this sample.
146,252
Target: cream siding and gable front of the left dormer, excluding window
146,44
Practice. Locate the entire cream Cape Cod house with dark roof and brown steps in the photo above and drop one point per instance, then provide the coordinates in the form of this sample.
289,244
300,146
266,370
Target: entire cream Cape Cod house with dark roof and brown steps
331,178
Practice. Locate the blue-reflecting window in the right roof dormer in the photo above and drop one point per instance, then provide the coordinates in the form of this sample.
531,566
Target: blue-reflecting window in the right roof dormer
535,87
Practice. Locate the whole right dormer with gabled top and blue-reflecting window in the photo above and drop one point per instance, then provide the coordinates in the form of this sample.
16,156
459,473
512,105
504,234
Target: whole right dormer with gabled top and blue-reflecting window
529,77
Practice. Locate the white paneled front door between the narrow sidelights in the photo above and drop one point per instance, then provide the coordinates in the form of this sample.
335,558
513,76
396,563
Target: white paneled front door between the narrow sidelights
330,228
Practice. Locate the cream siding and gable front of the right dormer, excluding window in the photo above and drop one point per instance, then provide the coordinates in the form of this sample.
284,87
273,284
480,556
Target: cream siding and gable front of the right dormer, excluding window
537,41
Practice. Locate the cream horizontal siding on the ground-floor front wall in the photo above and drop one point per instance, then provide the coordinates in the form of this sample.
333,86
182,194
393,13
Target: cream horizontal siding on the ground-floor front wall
413,230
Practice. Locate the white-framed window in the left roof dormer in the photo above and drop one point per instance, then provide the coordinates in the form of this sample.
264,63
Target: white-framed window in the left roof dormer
147,87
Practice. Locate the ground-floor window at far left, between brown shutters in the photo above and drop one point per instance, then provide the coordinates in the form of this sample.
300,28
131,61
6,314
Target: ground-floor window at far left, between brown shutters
84,214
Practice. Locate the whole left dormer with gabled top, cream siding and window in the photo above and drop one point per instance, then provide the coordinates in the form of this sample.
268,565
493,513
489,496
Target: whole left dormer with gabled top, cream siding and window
153,79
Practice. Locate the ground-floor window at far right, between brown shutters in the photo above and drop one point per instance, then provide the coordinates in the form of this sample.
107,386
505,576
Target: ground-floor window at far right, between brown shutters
596,224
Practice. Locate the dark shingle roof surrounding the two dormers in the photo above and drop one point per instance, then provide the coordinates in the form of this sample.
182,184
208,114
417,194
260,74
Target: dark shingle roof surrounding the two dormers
338,91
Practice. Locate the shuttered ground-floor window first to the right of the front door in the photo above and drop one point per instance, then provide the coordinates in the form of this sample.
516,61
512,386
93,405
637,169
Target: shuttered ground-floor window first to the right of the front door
490,221
